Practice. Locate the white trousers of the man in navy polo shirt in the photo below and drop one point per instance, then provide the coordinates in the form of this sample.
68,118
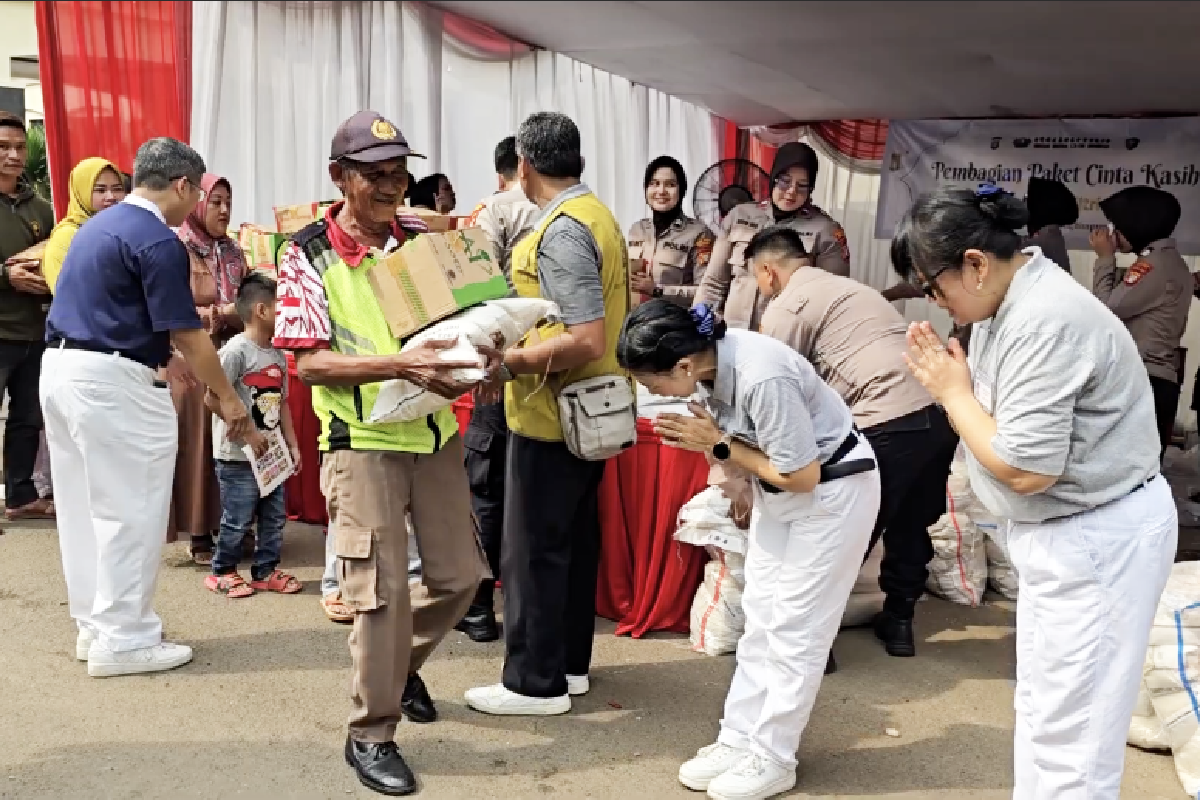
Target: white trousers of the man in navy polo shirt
113,437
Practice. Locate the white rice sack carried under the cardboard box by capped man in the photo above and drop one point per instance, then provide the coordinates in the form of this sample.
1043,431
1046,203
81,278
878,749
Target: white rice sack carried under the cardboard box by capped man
496,323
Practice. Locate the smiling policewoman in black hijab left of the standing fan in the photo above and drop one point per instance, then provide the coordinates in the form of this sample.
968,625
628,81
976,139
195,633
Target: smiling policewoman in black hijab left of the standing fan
670,249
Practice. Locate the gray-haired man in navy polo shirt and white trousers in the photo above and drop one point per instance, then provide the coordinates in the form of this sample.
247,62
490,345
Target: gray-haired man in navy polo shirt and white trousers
123,300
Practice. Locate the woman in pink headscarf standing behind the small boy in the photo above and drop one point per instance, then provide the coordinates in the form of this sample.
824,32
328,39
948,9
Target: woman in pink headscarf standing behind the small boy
218,266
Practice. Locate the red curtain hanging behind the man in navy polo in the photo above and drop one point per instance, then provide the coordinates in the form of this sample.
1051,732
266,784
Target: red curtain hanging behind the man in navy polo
113,76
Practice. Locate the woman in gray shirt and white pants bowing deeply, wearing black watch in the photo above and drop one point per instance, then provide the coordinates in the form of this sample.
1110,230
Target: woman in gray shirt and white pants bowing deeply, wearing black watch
817,494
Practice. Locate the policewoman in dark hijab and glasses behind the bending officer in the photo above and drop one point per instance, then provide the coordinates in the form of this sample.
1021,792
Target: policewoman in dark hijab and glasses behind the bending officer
728,286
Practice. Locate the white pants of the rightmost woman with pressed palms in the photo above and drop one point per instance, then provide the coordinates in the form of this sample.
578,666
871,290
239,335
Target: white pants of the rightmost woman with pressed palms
1089,587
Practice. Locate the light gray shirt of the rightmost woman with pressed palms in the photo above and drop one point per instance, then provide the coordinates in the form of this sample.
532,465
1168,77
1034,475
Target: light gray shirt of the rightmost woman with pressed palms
1063,378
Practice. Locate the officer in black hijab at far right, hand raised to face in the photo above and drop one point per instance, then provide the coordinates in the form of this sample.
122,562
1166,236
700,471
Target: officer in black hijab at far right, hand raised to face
1154,297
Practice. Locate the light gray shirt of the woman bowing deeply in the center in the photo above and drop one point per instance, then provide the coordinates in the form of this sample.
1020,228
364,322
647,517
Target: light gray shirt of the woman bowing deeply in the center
770,398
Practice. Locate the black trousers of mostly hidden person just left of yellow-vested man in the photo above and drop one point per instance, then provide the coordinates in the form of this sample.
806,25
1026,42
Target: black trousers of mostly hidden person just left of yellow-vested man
485,446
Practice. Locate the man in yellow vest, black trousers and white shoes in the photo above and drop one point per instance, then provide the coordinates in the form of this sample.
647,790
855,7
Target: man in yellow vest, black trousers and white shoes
577,257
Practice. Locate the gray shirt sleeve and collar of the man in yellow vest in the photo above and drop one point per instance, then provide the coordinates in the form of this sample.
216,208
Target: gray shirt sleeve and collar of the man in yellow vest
569,263
